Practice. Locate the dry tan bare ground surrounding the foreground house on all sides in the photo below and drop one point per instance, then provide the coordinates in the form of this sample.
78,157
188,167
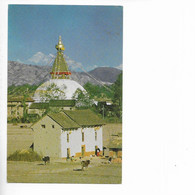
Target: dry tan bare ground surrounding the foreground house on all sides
58,171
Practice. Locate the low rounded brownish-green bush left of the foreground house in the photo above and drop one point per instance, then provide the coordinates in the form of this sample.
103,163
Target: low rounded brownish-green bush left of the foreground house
24,155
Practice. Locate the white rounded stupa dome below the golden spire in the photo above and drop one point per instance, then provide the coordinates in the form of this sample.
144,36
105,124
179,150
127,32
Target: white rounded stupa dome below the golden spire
62,89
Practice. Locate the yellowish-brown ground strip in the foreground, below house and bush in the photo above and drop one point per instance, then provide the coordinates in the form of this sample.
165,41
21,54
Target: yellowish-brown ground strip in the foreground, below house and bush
63,172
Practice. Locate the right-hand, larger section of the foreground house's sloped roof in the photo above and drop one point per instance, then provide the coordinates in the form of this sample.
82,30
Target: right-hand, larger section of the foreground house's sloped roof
84,117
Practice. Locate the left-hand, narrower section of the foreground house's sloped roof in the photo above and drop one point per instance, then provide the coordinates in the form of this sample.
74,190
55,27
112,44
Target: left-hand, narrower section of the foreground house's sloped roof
63,120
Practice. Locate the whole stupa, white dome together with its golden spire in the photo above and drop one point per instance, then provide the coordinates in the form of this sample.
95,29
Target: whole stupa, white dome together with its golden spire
60,86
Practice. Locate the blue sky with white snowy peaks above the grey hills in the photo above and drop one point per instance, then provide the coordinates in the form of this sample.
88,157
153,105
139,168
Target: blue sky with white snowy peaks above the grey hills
92,35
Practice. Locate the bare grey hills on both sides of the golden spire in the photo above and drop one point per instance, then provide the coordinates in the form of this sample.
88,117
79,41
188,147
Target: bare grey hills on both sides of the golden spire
20,74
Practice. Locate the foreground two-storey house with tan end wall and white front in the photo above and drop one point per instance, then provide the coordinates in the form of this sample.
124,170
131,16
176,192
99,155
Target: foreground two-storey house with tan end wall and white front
69,133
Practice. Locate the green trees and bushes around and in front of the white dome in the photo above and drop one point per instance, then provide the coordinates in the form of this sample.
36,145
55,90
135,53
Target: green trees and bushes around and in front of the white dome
111,93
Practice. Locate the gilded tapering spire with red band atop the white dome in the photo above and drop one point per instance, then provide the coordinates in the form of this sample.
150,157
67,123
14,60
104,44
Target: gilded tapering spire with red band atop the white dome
60,67
